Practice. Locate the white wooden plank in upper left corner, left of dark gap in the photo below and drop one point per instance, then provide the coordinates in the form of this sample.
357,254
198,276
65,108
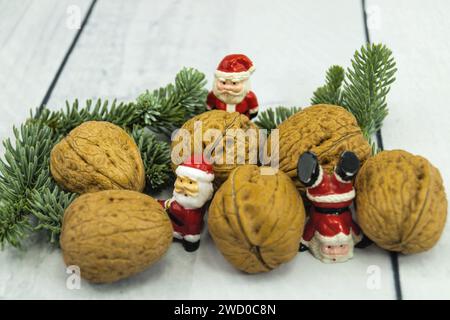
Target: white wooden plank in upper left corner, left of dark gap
34,38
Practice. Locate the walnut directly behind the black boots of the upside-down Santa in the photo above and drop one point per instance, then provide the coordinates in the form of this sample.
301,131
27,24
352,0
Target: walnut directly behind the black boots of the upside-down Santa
326,130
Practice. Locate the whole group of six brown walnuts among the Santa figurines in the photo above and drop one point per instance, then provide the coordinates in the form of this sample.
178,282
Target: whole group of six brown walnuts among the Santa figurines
256,219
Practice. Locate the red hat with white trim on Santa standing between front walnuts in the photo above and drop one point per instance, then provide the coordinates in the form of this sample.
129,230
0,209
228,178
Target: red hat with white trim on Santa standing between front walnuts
196,167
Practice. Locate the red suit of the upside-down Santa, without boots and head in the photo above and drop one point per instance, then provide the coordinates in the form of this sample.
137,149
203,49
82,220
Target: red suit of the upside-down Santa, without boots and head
330,192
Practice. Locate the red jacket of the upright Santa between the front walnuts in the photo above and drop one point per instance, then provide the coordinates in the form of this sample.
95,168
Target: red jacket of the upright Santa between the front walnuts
185,221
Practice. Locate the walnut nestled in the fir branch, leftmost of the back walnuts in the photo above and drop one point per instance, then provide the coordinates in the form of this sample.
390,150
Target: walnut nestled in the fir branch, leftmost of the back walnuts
97,156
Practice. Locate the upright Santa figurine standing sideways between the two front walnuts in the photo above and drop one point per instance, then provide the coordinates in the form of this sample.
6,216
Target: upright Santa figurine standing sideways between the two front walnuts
193,189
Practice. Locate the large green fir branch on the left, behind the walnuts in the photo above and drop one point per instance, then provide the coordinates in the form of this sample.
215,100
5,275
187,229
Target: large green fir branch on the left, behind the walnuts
30,200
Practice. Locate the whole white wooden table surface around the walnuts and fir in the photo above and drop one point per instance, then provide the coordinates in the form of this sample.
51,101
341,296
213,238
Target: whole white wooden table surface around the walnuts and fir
126,47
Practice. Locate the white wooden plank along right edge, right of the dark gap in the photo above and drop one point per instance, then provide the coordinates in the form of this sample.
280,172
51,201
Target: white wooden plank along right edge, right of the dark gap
419,119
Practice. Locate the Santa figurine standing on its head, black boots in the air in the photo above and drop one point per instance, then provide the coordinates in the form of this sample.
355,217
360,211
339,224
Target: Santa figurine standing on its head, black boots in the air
330,233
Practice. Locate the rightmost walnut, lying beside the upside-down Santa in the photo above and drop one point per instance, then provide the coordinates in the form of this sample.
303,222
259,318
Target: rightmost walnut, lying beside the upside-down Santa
401,202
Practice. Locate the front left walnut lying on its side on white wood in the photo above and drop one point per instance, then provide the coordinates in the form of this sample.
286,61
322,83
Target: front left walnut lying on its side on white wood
114,234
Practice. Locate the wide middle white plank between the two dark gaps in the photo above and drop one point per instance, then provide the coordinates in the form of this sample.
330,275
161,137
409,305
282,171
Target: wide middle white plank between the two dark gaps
126,49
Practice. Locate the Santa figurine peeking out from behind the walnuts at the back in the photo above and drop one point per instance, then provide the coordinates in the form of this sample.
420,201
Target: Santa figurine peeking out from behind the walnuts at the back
231,89
